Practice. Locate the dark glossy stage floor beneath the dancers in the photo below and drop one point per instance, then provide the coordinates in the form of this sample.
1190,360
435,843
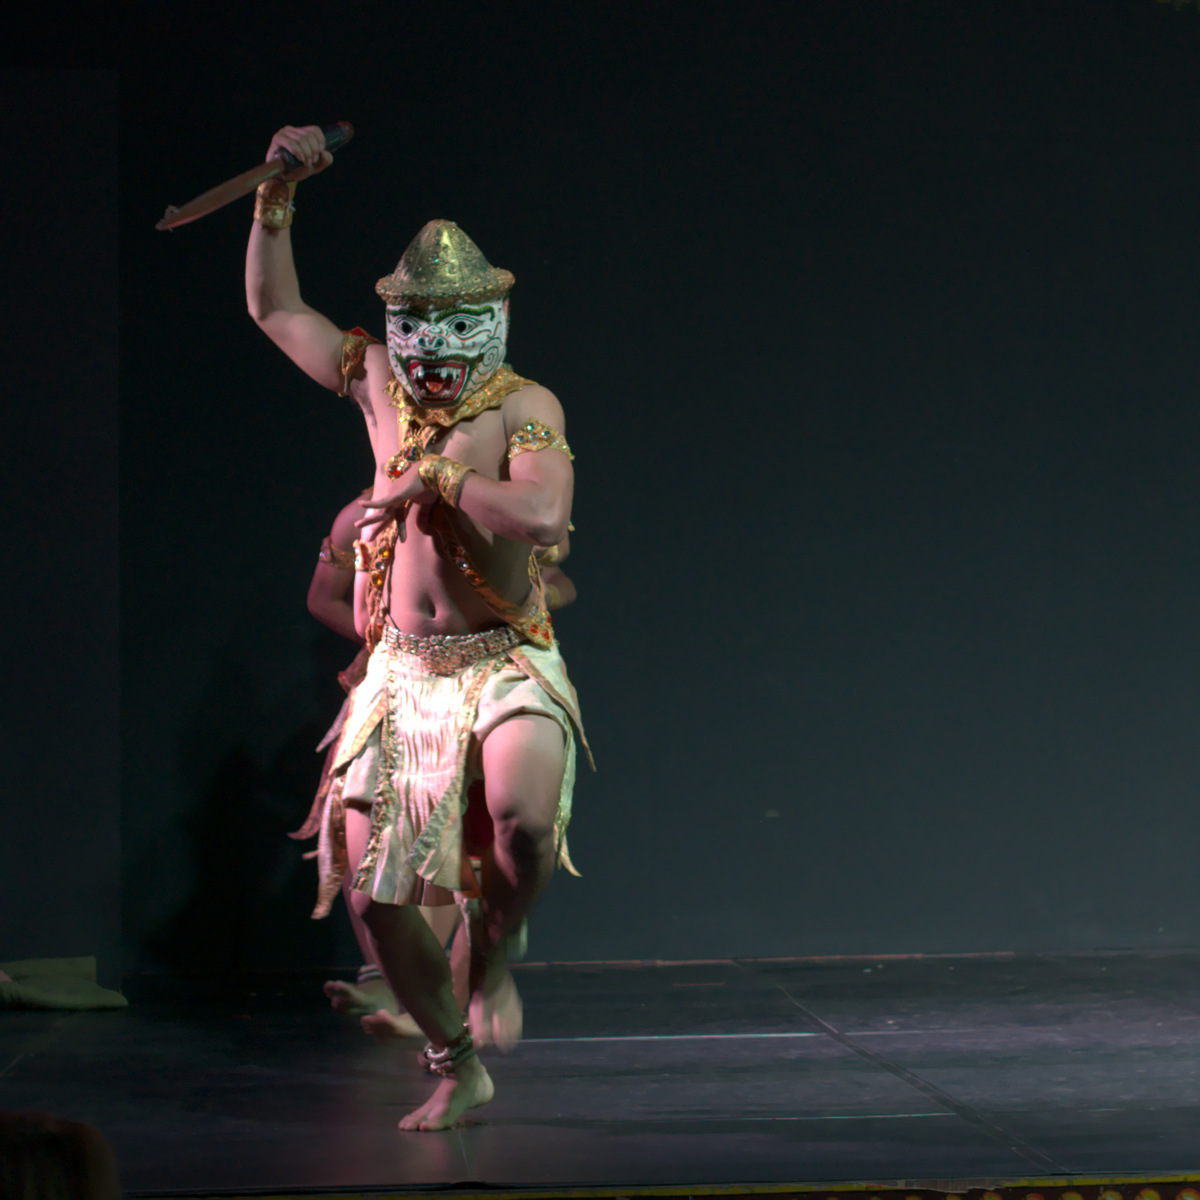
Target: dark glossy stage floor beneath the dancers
694,1075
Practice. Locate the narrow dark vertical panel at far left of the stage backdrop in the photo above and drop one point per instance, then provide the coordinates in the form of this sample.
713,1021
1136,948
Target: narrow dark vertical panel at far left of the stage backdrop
59,847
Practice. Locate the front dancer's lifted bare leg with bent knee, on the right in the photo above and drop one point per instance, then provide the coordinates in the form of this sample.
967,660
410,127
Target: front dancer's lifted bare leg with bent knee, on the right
524,761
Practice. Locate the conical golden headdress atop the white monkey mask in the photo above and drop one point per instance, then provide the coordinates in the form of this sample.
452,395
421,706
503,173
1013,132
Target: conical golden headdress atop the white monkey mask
442,263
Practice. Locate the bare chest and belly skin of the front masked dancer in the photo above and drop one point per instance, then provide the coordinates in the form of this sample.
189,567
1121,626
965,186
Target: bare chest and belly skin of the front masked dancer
428,595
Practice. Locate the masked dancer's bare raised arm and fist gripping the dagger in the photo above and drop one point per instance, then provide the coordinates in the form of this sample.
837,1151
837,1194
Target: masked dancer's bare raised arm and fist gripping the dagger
273,291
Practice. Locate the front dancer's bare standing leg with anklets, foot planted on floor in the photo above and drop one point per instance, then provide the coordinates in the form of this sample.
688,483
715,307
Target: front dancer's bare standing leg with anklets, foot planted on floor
415,964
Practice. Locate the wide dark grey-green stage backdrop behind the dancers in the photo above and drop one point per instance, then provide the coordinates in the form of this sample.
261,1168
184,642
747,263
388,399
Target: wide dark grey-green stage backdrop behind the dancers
877,329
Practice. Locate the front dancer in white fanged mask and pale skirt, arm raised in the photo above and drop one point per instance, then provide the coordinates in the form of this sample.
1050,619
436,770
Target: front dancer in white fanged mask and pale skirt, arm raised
465,680
